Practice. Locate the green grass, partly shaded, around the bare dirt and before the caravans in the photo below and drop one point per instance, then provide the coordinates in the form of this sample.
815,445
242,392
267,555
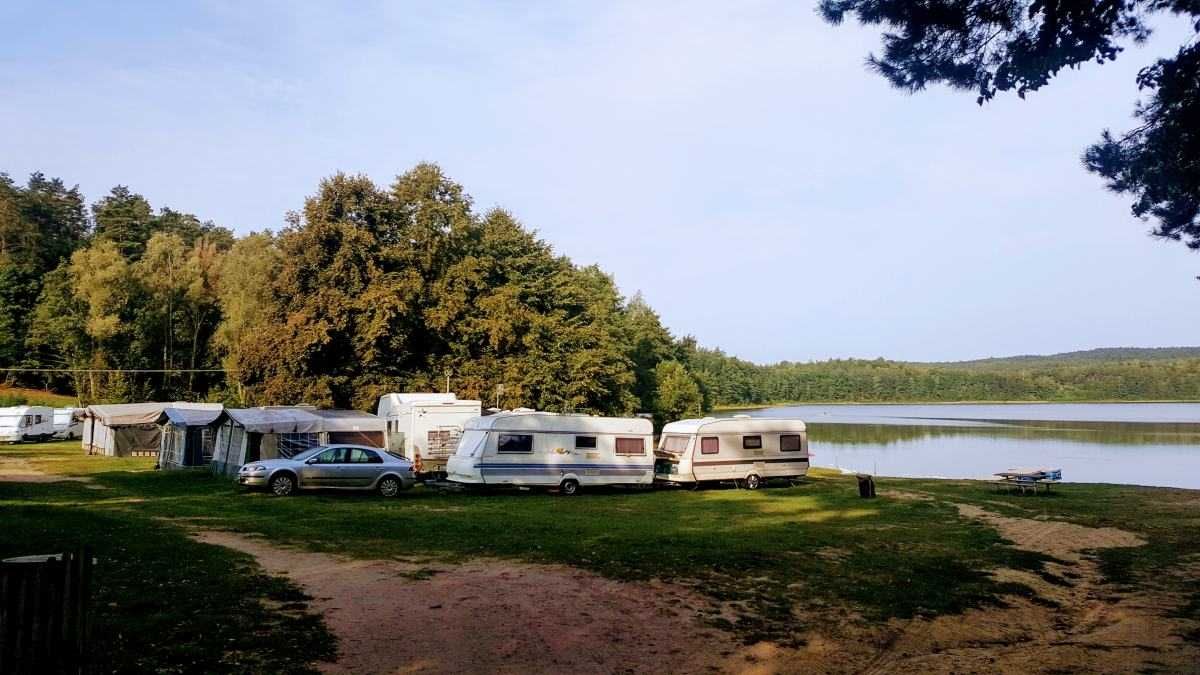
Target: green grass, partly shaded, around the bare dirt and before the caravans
173,605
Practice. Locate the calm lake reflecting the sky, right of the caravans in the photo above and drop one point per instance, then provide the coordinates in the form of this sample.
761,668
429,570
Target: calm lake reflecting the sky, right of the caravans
1131,444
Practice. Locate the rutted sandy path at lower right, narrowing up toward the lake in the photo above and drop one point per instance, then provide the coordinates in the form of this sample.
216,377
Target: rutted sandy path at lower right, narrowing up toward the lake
1077,625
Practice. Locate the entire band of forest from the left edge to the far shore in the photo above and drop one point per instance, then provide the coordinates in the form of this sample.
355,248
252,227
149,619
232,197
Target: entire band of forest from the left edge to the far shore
386,289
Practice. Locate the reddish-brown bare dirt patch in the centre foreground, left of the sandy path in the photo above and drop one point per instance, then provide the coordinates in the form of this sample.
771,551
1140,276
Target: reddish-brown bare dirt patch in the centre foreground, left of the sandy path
496,617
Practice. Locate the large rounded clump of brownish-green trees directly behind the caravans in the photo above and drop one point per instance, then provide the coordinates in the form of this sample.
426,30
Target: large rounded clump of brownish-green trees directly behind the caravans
382,290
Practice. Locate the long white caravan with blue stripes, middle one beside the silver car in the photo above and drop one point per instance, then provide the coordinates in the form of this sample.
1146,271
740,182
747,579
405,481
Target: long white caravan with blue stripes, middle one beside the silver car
527,449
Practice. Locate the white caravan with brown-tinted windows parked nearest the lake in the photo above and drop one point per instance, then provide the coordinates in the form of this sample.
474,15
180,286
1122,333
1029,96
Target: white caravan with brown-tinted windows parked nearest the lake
742,449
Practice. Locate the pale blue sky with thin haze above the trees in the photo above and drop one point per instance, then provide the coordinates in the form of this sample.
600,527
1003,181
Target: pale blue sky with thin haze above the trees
735,163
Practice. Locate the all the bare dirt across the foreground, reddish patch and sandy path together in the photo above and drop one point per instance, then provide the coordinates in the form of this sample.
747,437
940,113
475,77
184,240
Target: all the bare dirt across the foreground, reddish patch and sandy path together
502,617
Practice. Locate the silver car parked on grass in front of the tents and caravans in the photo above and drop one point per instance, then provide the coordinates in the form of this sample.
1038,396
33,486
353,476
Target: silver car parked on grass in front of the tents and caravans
340,468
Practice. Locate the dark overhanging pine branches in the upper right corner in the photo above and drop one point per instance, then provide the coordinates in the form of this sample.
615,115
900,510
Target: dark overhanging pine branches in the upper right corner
999,46
